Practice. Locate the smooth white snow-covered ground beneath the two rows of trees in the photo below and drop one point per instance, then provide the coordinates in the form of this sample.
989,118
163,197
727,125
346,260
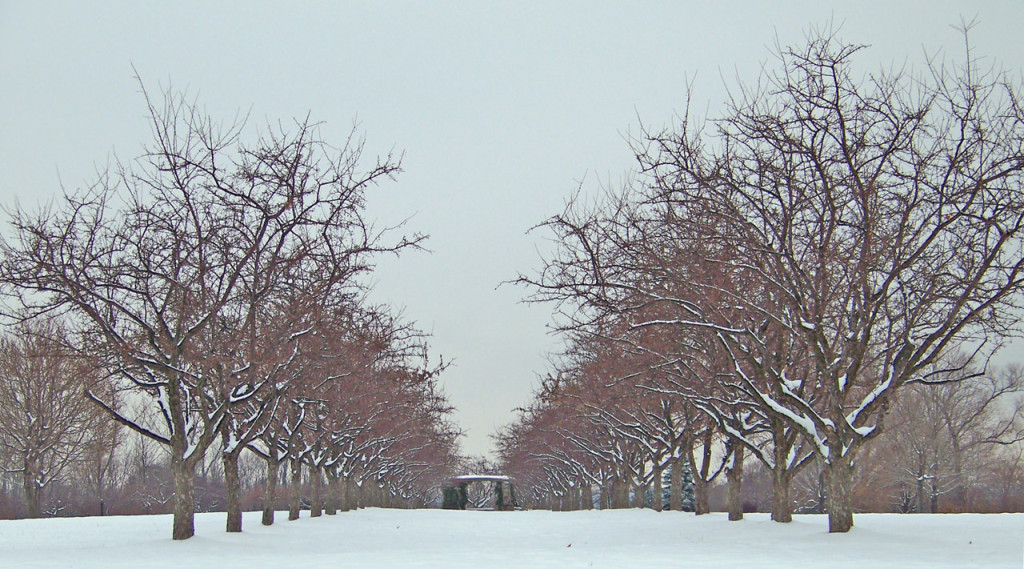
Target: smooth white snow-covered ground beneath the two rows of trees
518,540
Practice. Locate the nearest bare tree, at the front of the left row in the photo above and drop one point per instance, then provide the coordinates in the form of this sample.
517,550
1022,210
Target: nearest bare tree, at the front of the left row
155,254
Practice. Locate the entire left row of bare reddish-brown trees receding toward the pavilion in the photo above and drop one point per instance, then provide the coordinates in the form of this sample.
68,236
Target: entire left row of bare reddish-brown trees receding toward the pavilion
217,289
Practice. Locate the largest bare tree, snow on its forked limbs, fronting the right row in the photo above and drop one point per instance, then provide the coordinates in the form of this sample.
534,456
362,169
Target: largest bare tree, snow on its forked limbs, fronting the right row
881,218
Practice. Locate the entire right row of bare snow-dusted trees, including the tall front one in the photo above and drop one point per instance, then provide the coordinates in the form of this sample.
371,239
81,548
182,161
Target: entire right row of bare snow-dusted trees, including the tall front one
774,280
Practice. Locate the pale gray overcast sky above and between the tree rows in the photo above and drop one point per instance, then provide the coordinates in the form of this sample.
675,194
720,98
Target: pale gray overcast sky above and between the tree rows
502,112
